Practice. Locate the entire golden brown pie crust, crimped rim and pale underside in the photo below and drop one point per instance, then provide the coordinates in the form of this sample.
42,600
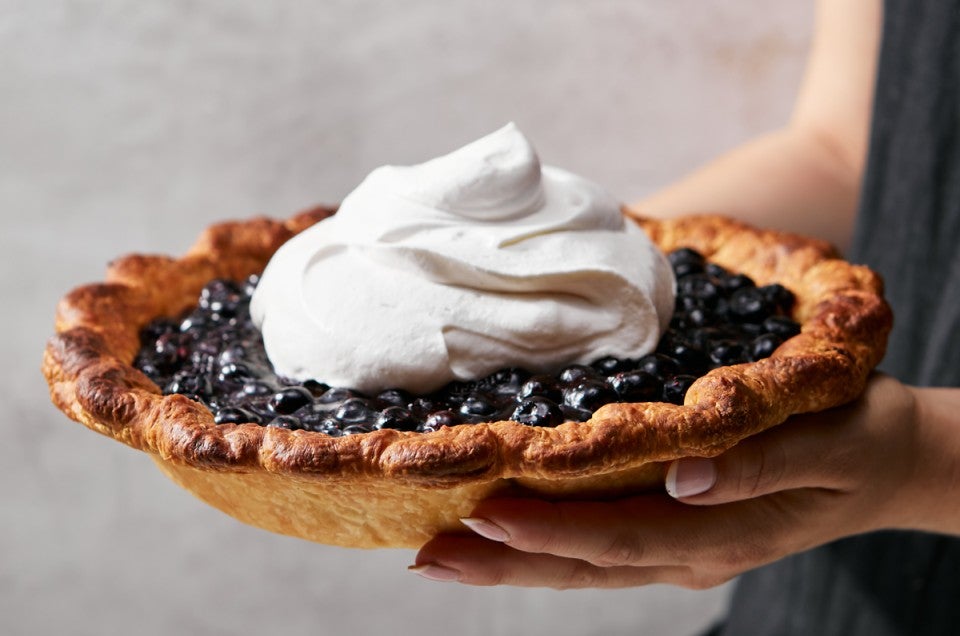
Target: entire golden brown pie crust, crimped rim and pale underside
397,489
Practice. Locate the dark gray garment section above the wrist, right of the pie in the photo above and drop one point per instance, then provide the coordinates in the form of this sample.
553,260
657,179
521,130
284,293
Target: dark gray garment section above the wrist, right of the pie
909,223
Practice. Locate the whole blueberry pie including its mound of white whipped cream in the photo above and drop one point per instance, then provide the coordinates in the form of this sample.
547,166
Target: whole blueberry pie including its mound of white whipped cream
365,378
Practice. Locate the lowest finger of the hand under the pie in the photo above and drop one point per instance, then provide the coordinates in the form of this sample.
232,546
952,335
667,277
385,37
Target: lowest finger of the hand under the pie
474,561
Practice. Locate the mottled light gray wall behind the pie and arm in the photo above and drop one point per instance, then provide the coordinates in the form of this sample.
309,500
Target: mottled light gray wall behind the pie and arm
129,126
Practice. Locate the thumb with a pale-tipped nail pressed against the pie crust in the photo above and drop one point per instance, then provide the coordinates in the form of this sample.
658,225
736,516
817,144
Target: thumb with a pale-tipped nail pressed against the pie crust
780,459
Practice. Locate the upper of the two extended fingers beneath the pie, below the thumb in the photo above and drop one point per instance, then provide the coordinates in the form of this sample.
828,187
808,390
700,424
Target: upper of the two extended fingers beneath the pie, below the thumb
648,531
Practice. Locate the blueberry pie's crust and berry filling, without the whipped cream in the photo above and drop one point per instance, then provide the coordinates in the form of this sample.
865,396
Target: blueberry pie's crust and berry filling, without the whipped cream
393,469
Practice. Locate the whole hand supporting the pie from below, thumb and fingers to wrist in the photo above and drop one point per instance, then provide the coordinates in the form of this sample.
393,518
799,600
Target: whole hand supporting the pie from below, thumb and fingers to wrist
817,478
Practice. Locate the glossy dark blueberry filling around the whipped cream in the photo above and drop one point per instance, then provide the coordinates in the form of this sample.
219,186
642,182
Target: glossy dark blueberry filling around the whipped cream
215,355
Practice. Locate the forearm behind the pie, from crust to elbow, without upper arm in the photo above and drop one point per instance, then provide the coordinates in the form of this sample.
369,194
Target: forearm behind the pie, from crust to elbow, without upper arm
788,180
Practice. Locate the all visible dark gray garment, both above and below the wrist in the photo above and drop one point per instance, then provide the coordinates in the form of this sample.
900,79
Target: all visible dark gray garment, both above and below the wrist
893,583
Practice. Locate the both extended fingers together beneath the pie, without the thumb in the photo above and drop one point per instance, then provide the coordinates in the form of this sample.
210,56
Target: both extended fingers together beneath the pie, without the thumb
651,539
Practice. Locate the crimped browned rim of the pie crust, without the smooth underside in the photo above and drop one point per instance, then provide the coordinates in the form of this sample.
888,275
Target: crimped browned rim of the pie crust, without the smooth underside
88,366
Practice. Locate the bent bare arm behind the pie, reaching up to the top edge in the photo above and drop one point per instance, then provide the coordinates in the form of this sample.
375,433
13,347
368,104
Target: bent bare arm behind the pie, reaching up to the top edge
806,176
